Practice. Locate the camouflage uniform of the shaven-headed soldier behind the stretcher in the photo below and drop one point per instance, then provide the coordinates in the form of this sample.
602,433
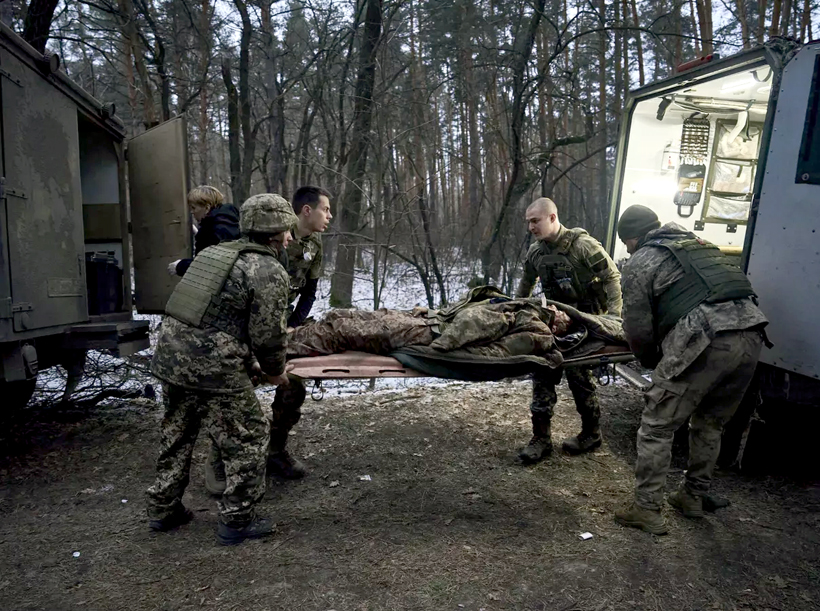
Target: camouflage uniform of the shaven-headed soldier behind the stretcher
591,285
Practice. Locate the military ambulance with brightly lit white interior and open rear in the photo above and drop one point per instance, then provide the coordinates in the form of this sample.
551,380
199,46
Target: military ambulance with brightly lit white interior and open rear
730,149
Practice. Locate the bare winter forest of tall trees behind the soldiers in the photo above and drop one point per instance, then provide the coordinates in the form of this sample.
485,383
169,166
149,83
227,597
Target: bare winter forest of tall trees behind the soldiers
432,123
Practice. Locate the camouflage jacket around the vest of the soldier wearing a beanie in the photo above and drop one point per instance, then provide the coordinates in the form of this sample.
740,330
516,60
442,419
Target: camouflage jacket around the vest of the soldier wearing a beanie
647,274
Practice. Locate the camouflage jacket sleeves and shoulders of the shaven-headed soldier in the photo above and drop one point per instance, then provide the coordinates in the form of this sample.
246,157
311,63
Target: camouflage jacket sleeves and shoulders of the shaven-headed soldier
583,252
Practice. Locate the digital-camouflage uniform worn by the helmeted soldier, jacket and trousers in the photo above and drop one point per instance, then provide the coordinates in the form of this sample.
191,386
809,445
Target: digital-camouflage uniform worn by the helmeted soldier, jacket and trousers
205,371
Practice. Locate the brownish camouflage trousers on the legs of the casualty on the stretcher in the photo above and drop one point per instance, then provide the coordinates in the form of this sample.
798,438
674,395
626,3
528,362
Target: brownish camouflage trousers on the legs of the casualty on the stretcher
379,332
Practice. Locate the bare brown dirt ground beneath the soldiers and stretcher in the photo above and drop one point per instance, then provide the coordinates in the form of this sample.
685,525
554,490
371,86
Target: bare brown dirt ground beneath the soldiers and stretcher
448,520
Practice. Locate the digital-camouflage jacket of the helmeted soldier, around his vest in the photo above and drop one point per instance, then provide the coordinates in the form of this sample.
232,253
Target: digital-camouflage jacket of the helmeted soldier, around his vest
209,359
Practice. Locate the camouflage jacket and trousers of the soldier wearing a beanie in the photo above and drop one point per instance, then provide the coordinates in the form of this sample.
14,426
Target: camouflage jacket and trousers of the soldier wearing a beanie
703,366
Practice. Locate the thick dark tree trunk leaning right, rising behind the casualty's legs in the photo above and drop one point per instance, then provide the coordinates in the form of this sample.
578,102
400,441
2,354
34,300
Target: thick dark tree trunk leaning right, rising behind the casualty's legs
341,286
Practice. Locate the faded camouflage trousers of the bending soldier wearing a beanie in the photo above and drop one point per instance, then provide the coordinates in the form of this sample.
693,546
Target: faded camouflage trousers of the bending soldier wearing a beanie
709,391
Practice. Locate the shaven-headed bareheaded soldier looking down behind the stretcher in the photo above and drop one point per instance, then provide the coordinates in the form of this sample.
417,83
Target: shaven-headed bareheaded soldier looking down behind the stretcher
576,270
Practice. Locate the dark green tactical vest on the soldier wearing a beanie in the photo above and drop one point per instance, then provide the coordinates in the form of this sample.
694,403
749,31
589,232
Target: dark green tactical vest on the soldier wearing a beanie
709,278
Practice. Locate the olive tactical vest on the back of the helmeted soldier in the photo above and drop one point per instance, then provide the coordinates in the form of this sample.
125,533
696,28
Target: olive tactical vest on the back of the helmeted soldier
198,300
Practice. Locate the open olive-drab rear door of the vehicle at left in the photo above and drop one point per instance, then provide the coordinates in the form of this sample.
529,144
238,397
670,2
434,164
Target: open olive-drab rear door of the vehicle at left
160,219
